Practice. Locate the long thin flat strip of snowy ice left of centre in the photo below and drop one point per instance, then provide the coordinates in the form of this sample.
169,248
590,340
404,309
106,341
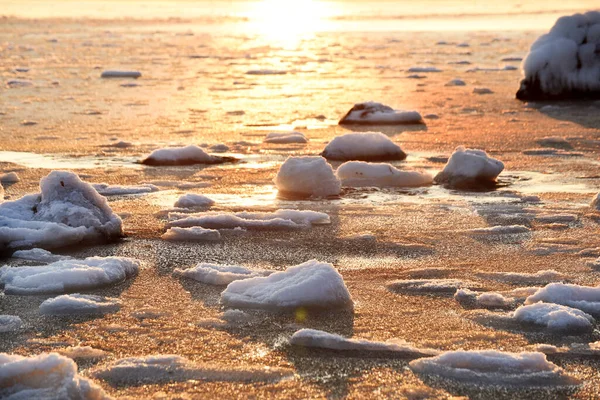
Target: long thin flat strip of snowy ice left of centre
278,220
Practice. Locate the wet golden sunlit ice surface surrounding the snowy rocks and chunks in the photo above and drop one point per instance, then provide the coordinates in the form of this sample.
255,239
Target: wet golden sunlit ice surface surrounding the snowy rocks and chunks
533,227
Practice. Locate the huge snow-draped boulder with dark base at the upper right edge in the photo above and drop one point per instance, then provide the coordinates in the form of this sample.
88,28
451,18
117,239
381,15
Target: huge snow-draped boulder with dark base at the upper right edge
564,63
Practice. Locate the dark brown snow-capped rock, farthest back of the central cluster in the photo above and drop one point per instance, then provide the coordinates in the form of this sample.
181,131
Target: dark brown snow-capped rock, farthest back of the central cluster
372,113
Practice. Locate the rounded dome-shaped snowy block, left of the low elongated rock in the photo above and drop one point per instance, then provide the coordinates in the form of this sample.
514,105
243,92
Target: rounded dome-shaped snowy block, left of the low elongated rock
307,176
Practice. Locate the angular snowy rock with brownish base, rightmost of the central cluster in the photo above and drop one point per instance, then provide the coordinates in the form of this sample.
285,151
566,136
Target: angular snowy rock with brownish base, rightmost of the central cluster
469,167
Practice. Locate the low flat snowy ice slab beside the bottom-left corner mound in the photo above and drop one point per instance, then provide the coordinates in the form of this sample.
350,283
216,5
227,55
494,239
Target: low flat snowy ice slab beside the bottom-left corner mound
158,369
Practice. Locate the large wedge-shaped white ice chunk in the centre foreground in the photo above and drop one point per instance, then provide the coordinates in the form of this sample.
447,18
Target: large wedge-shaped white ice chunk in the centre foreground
311,284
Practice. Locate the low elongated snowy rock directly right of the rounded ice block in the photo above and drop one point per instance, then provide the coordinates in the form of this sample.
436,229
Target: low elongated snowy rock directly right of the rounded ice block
359,173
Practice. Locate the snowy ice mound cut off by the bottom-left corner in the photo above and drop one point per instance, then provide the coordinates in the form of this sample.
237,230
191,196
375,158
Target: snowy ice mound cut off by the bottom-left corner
45,376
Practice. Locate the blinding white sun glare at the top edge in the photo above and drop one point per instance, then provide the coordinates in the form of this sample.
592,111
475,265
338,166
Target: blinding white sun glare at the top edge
287,22
